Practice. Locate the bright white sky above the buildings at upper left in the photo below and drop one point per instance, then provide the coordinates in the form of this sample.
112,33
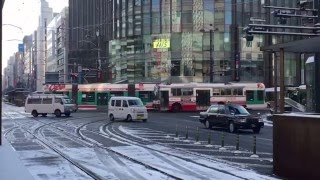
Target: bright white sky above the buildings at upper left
23,14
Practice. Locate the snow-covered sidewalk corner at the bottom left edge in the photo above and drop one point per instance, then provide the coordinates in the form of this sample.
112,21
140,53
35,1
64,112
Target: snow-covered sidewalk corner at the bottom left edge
10,165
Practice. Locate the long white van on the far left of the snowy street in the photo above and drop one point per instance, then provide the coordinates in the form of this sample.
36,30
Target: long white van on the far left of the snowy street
49,103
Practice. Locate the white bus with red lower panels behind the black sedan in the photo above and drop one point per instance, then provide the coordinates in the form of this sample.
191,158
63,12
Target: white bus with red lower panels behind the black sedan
199,96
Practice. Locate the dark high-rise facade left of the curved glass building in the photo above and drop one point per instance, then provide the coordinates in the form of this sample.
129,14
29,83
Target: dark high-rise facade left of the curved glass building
89,33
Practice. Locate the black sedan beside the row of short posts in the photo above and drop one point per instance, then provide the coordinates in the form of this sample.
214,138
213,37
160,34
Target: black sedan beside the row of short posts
232,117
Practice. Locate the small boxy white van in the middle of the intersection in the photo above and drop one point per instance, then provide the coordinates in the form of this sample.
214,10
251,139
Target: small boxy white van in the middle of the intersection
127,108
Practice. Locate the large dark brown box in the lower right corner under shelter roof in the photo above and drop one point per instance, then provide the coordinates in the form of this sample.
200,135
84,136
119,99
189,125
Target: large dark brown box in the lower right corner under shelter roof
296,146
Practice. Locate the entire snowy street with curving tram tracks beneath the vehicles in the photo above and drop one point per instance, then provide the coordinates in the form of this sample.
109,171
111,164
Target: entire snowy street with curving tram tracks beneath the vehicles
86,145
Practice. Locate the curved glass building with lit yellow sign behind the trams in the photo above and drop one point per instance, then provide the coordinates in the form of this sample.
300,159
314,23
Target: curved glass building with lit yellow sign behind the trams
169,41
